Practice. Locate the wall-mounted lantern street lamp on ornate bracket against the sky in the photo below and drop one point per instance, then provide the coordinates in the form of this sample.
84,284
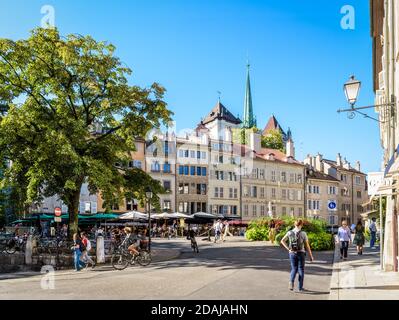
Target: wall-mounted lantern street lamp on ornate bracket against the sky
352,89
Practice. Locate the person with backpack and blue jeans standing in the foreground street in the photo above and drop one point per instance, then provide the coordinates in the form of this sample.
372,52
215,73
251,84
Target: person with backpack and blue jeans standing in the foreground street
297,243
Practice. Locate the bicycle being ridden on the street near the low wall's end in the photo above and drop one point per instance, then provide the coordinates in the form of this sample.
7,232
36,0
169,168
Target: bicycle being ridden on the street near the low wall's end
122,257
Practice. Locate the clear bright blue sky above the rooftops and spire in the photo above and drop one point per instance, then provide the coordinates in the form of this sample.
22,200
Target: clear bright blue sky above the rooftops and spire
300,57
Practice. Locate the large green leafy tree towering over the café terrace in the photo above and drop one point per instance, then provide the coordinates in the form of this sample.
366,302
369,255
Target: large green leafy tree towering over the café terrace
72,116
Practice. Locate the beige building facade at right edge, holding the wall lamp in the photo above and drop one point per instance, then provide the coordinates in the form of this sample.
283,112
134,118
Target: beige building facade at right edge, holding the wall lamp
385,34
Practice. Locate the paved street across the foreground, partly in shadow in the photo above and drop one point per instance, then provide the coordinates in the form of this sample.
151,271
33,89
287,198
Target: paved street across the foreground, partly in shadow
235,269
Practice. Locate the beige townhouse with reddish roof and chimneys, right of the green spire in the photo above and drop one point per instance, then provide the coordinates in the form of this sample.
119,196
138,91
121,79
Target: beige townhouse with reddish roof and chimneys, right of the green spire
275,184
